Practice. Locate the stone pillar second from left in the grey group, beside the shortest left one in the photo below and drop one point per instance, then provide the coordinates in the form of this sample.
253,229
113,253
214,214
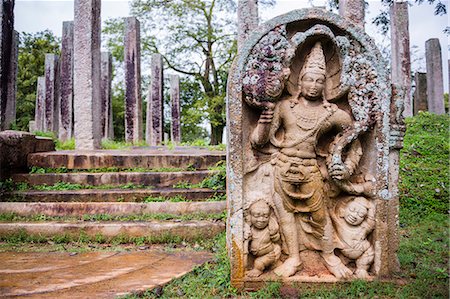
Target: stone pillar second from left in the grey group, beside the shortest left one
51,112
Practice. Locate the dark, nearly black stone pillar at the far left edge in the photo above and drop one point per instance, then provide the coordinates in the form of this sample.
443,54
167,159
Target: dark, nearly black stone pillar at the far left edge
9,43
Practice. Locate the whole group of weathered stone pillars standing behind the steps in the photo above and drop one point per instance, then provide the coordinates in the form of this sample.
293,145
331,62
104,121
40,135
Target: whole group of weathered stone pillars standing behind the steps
74,96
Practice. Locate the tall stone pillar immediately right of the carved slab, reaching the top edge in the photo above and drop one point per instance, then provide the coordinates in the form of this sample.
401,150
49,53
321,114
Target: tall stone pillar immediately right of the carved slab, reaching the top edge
401,57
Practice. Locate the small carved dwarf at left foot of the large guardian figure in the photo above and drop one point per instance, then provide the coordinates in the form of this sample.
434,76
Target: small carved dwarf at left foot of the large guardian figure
262,236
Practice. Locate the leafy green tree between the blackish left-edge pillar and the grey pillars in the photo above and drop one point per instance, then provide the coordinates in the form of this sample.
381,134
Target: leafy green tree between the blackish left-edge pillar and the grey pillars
31,64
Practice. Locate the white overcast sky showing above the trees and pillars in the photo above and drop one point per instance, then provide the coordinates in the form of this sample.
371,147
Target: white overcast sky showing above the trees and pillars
38,15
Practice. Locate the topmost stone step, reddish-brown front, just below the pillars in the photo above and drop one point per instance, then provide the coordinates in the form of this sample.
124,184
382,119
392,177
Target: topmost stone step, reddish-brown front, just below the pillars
134,158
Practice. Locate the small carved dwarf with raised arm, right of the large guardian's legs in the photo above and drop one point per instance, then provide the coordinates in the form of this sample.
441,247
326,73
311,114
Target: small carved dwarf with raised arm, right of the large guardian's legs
354,221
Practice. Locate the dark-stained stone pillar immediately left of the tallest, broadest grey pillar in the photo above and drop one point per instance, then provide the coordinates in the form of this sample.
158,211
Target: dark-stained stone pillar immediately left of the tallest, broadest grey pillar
66,83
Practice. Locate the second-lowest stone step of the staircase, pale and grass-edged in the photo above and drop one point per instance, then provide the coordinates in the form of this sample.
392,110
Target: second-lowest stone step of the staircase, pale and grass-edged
113,209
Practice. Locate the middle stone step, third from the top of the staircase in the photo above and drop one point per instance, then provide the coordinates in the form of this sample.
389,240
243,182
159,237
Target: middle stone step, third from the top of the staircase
109,195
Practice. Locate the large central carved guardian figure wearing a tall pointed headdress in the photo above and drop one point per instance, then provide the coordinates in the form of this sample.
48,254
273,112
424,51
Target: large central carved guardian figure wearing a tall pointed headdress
294,125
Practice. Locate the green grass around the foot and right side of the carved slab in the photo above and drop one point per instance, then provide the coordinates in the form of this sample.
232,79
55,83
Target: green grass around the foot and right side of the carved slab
424,233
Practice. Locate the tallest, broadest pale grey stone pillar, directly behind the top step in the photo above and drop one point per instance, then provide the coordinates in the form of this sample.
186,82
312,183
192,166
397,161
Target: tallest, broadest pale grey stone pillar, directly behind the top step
87,74
